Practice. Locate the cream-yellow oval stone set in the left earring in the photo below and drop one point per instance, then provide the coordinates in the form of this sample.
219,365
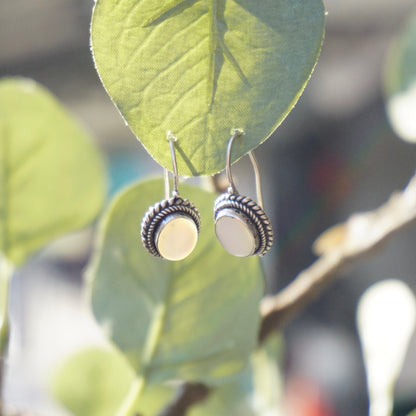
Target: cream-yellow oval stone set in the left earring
176,237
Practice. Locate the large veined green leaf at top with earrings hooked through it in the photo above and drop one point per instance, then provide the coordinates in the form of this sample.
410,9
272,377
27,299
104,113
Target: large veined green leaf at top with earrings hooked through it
200,68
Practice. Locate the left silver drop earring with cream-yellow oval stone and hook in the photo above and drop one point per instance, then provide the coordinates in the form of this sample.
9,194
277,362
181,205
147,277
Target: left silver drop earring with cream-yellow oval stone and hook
170,228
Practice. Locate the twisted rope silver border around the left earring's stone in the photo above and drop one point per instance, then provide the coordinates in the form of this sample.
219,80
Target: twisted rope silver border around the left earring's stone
158,212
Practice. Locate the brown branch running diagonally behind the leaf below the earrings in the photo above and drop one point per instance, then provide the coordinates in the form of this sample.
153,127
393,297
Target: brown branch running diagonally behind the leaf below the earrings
341,247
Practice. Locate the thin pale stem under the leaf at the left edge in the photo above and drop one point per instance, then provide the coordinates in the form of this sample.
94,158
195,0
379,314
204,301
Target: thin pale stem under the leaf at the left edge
6,272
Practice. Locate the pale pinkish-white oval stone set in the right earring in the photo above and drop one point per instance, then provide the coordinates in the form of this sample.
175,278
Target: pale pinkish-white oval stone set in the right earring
235,234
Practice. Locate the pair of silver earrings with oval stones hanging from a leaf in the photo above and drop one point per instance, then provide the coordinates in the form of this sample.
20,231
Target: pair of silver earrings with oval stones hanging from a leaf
171,227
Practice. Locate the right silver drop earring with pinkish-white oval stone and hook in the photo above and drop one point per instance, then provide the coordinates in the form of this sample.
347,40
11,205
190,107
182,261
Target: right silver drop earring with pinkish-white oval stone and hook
241,225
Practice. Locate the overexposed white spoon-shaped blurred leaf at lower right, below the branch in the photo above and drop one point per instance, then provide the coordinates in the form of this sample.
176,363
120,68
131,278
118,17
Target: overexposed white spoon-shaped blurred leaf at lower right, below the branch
385,334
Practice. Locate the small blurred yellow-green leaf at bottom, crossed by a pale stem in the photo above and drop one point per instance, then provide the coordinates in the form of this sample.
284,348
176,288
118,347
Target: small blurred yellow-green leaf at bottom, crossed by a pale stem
94,381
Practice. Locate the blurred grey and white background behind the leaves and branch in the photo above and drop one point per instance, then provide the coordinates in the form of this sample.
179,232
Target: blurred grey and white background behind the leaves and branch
335,154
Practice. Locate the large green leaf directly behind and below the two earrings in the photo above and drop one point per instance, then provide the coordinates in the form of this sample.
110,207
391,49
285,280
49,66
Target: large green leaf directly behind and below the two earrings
196,319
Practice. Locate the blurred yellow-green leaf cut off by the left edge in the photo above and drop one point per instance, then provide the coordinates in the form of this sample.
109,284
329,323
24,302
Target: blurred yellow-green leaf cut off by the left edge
51,176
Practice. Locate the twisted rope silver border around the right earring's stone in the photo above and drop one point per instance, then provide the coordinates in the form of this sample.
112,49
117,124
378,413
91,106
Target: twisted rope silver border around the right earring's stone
254,212
